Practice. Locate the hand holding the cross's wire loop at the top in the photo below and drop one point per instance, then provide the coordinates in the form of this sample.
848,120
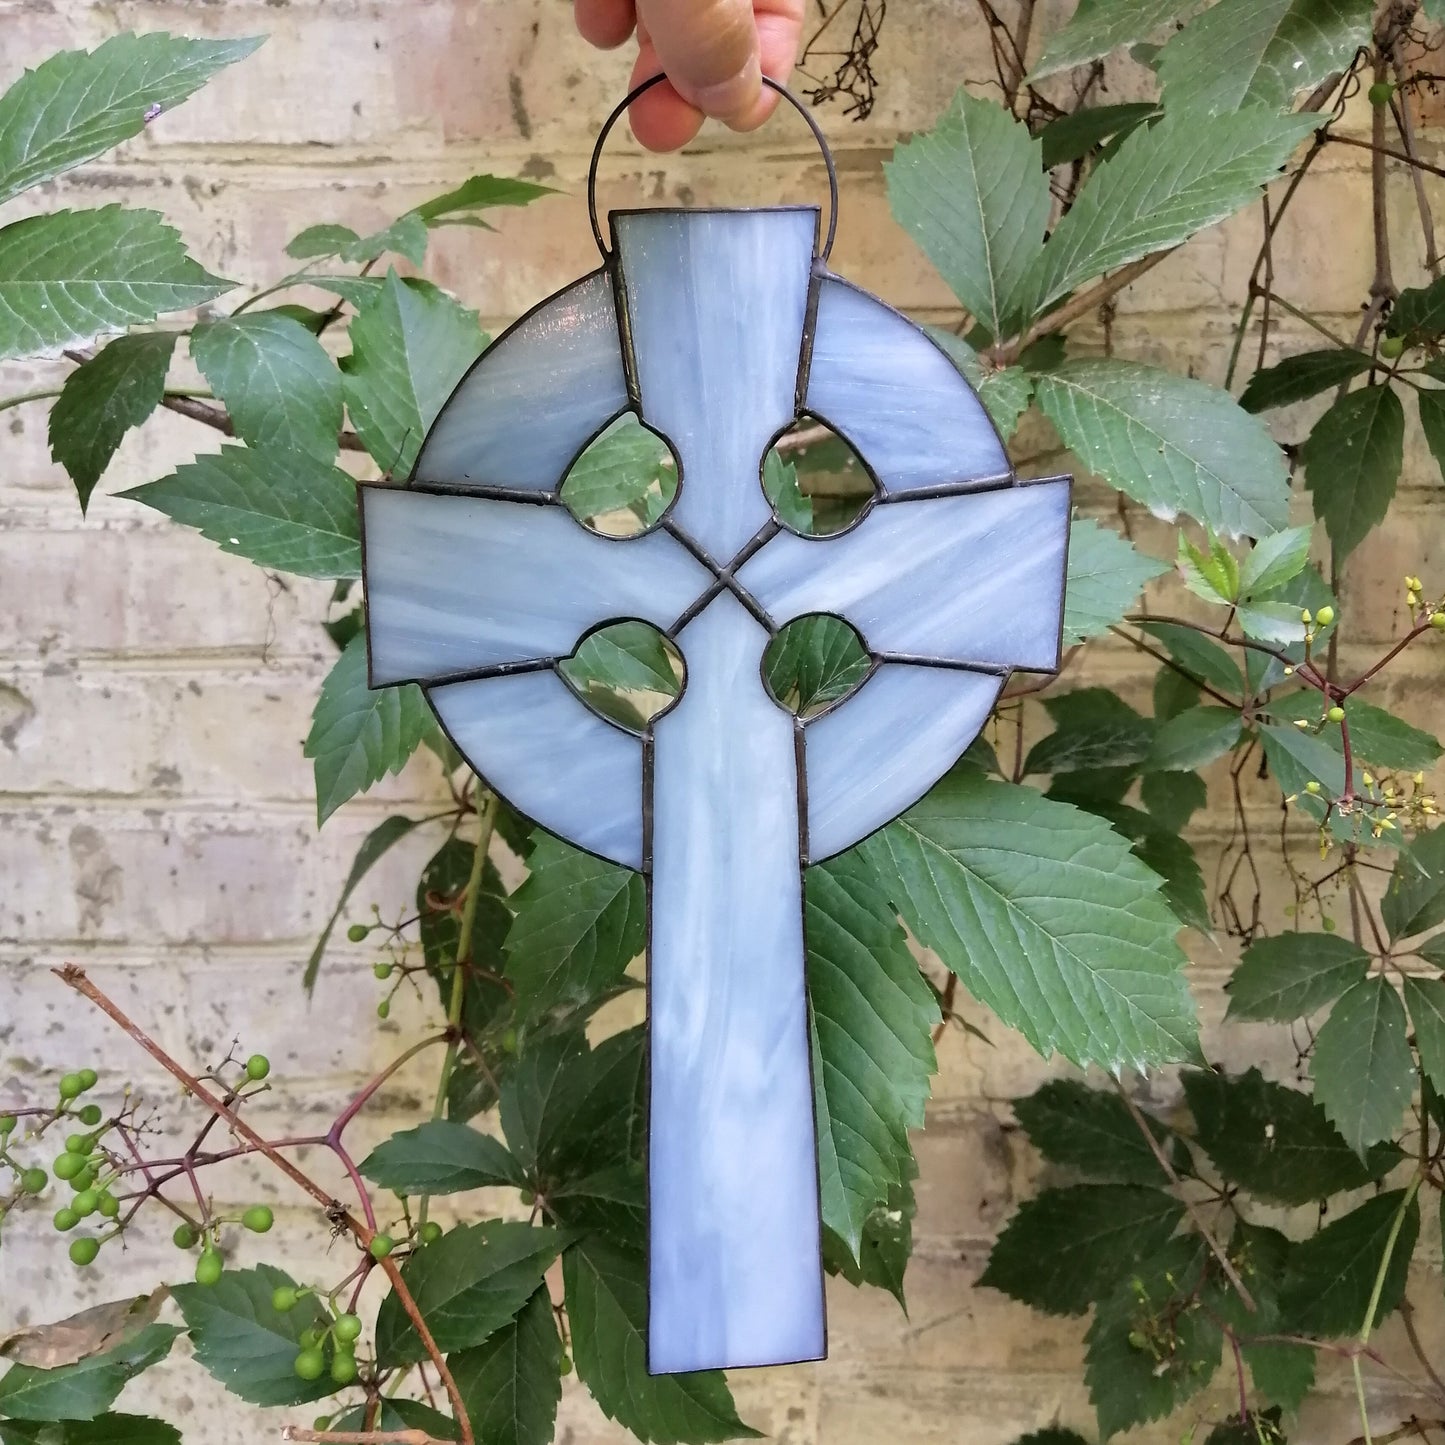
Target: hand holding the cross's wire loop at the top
715,54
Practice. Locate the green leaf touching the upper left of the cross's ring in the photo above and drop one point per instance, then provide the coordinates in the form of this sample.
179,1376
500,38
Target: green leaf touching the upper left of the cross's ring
410,349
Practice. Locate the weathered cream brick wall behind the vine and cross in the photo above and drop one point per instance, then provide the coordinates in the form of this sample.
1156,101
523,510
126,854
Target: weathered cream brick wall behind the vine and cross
155,811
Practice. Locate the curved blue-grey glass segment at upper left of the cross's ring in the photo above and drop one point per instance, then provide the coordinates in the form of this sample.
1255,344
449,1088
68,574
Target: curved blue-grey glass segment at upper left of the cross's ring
535,398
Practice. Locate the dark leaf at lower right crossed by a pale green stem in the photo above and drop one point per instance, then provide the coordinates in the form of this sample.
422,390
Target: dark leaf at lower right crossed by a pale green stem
1332,1277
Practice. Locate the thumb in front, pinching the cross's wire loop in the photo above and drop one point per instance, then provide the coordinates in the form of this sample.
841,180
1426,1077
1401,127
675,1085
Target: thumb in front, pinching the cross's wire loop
710,53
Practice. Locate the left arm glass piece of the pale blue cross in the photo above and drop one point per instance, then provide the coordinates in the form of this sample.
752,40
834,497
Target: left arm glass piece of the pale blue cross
463,583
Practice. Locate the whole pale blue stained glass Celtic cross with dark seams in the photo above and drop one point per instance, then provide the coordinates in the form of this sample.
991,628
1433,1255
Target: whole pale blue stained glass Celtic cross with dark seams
719,329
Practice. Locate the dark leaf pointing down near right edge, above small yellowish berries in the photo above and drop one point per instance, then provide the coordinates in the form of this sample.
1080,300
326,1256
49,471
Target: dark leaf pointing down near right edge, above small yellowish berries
1353,462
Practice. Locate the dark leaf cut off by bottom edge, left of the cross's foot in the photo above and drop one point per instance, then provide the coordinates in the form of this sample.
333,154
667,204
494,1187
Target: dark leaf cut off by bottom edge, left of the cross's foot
512,1385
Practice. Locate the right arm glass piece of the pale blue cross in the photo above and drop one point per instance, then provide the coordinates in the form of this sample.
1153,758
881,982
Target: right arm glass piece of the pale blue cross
969,577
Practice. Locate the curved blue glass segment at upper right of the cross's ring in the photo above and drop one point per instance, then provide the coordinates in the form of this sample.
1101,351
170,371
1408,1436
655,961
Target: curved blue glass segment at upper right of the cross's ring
902,405
